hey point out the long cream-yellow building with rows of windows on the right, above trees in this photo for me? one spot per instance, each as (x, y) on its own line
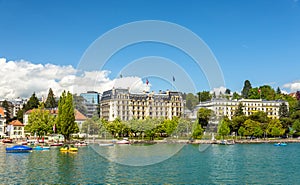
(224, 107)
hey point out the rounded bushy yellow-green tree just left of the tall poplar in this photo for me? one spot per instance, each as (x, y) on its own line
(40, 122)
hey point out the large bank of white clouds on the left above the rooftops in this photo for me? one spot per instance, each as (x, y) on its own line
(22, 78)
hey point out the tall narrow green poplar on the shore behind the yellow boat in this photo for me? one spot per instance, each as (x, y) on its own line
(66, 116)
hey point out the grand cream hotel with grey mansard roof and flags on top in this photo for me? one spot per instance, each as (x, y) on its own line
(120, 103)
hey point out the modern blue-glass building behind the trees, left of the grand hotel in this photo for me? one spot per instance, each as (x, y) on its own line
(92, 101)
